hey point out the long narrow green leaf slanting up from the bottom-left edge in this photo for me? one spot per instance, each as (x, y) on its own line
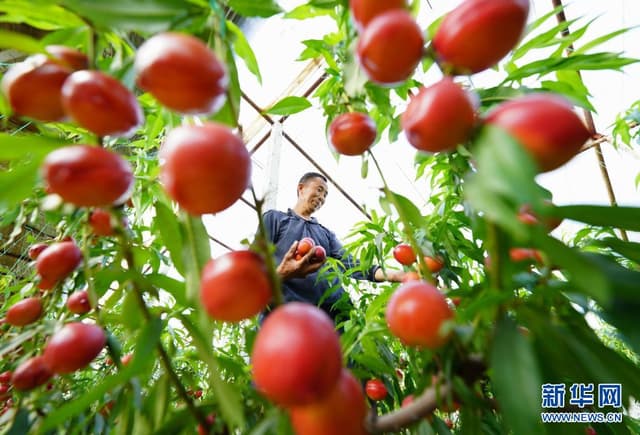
(145, 344)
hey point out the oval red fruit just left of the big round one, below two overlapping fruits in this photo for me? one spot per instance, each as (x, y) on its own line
(88, 176)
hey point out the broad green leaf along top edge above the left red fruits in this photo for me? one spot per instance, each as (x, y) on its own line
(147, 15)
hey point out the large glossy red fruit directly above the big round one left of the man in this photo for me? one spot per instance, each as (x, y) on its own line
(182, 73)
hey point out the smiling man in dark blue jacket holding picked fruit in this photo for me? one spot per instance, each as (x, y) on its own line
(300, 280)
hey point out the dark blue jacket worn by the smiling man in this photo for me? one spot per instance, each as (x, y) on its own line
(285, 228)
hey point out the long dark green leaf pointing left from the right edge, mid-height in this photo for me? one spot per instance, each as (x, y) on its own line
(618, 217)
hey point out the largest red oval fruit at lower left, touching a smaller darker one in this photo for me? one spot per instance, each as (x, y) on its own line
(73, 347)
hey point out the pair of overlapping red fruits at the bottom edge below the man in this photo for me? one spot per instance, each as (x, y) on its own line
(297, 364)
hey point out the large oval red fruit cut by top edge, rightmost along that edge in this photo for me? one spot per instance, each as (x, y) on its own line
(478, 33)
